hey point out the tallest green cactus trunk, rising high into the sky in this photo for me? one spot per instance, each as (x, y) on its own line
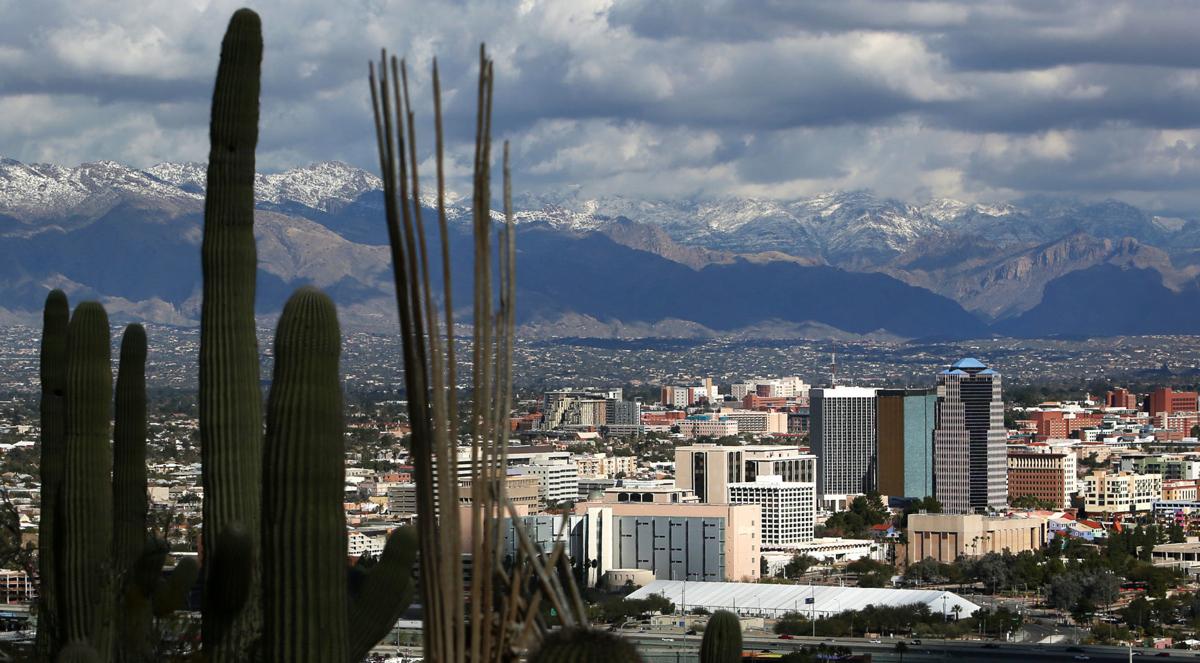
(231, 402)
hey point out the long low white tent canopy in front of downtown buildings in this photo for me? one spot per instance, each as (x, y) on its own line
(773, 601)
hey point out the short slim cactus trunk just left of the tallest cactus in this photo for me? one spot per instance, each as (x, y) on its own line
(130, 452)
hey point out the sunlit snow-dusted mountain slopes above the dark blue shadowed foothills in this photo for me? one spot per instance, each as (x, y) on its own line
(994, 260)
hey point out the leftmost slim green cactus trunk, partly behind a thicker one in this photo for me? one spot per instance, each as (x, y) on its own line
(53, 377)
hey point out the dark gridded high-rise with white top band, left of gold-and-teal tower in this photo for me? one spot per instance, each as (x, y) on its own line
(843, 438)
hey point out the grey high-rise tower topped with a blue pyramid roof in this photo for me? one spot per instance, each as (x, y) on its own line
(970, 459)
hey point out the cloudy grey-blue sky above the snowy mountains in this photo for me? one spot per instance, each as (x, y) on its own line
(981, 101)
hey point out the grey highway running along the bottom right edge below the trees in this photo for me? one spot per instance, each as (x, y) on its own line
(685, 648)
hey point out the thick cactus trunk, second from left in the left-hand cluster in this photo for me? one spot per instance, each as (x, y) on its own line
(87, 491)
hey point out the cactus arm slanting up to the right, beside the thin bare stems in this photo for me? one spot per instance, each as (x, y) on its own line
(383, 595)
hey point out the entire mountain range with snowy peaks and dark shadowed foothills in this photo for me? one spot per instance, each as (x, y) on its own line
(842, 265)
